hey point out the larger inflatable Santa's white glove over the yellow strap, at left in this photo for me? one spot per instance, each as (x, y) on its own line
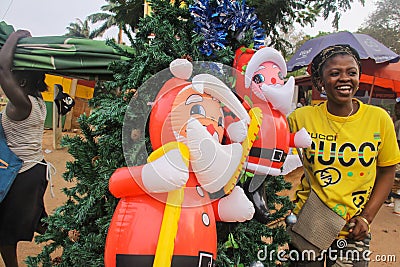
(167, 173)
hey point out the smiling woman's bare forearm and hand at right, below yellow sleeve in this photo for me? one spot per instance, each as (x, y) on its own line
(383, 184)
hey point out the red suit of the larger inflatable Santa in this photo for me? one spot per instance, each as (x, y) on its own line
(137, 221)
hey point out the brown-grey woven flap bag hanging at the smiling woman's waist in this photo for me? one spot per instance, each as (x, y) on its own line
(317, 226)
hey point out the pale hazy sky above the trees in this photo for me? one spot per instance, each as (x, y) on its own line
(51, 17)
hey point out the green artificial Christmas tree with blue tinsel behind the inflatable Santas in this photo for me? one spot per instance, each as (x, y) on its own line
(77, 230)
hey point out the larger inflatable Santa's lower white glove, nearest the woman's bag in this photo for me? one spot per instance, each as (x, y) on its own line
(235, 207)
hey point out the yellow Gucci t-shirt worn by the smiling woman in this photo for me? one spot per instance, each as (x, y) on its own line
(342, 159)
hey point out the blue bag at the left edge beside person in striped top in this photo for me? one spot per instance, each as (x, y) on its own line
(10, 164)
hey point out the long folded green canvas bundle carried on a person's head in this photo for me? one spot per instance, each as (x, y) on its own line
(75, 57)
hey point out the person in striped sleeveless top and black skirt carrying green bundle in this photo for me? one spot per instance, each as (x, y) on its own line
(23, 119)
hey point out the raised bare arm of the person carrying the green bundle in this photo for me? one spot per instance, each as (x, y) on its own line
(19, 106)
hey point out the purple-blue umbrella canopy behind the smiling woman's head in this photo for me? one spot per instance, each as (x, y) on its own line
(366, 46)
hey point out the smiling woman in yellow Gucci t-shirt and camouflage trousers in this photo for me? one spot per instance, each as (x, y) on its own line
(351, 162)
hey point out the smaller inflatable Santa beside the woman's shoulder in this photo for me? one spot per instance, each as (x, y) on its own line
(265, 87)
